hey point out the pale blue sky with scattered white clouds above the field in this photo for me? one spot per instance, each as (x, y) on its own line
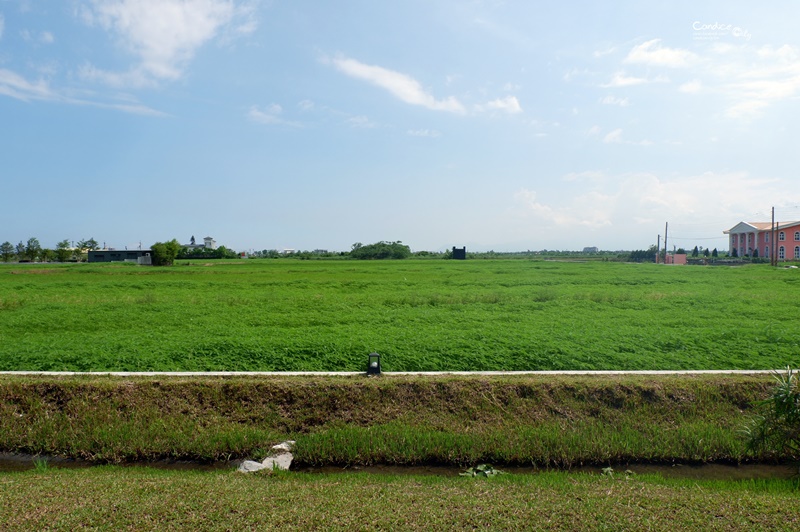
(505, 125)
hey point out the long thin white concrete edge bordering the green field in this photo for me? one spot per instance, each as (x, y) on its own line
(386, 373)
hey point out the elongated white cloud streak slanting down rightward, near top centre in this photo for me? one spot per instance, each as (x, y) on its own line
(400, 85)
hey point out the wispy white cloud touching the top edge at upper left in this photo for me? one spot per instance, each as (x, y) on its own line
(163, 35)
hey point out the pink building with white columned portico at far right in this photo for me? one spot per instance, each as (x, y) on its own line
(749, 238)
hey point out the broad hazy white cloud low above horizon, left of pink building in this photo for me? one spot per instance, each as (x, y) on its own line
(602, 205)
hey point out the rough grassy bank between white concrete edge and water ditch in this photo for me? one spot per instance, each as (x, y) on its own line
(523, 420)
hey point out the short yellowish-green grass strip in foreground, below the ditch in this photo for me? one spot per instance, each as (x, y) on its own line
(124, 498)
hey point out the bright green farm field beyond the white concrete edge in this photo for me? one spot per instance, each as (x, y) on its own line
(420, 315)
